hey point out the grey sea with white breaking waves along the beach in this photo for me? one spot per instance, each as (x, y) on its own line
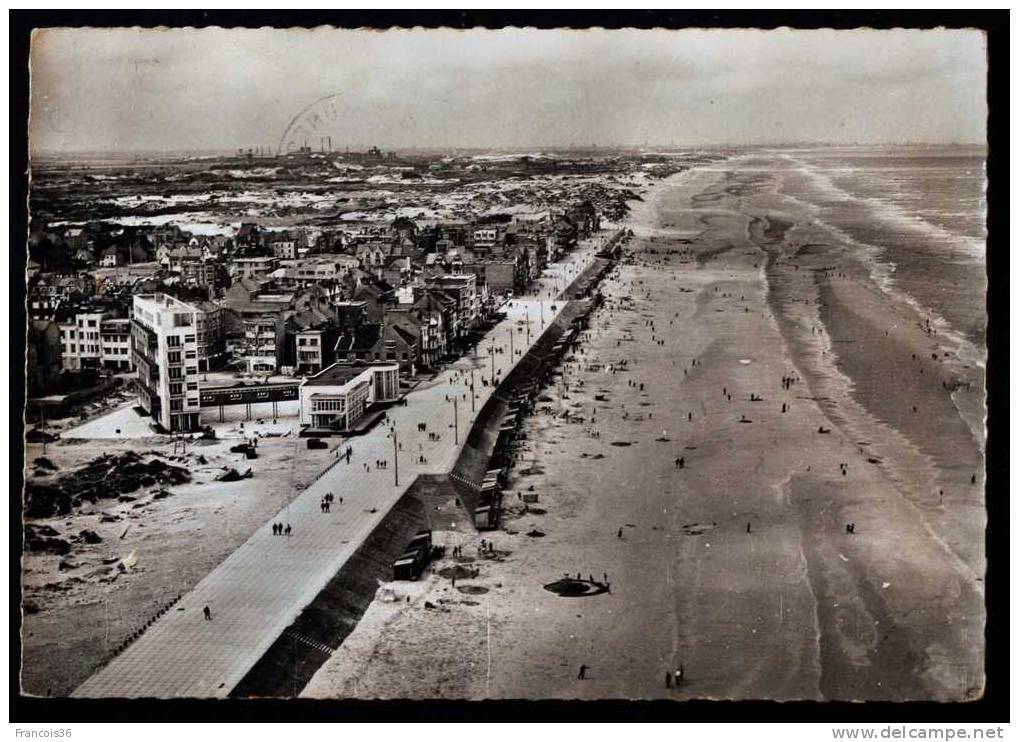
(923, 211)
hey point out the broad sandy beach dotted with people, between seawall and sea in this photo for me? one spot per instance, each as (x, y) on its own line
(738, 566)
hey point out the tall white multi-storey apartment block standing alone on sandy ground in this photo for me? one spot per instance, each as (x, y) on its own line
(166, 349)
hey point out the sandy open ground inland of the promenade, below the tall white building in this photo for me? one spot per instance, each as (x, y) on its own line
(76, 611)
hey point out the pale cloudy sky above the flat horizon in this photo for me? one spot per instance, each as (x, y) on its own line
(203, 90)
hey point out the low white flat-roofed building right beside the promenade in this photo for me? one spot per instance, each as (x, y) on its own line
(337, 398)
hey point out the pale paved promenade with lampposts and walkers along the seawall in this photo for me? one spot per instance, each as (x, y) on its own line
(261, 589)
